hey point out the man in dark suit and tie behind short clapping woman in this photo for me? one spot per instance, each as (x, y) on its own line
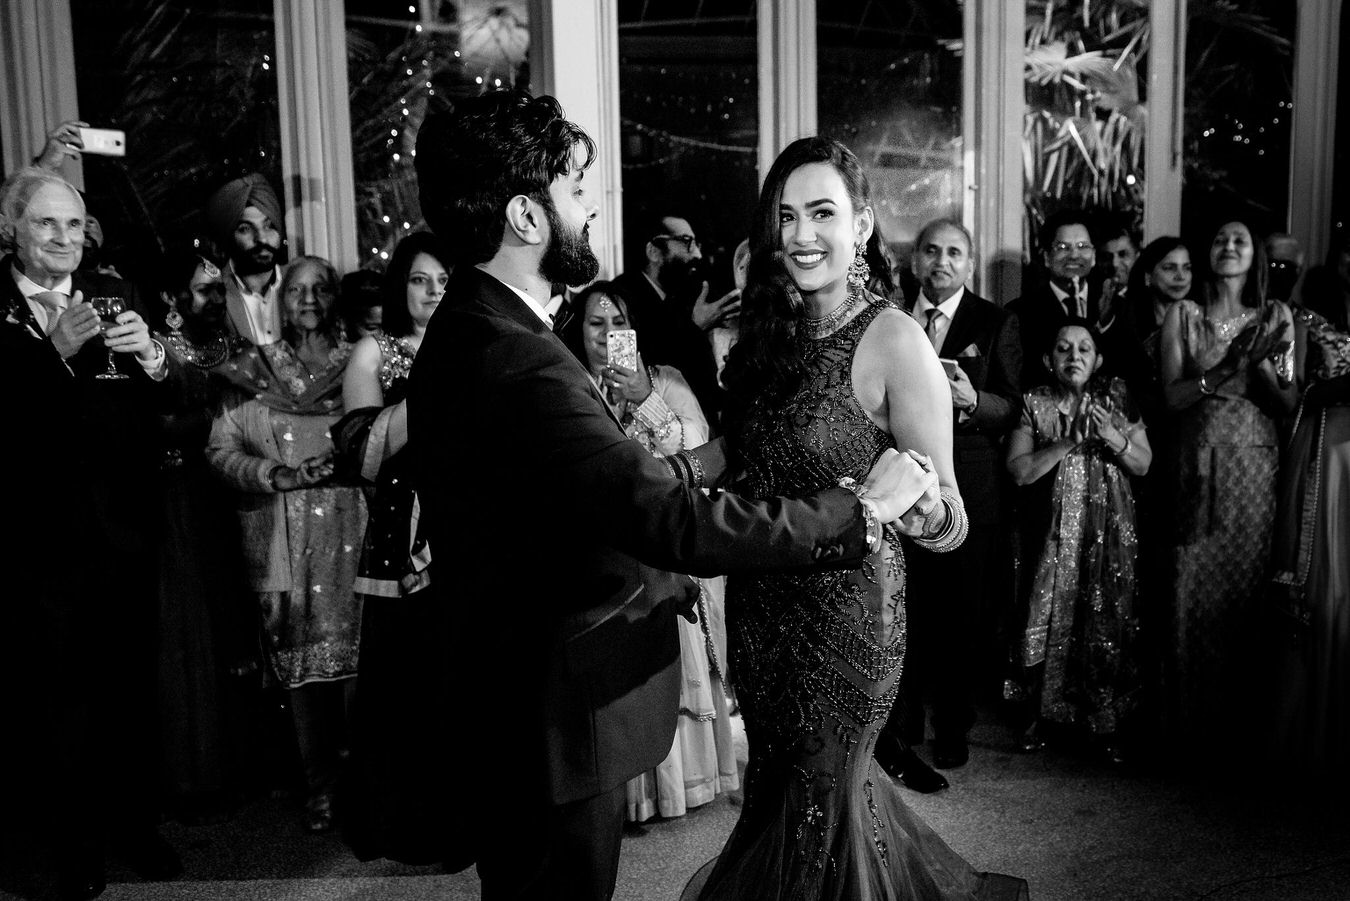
(1073, 288)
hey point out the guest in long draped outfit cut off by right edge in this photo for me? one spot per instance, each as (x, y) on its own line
(1310, 557)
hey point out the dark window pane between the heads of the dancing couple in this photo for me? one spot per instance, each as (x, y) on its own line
(689, 102)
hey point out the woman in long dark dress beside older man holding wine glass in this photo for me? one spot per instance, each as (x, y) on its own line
(206, 630)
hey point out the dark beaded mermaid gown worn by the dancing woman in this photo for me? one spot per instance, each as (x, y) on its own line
(817, 663)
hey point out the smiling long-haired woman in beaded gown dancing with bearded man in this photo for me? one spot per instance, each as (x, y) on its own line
(827, 378)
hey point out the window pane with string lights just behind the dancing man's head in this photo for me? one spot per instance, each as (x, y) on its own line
(404, 60)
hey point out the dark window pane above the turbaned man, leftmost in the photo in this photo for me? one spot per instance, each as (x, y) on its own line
(195, 88)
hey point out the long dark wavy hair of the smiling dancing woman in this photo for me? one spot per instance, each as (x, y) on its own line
(766, 364)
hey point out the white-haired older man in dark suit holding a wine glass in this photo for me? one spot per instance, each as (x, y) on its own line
(79, 550)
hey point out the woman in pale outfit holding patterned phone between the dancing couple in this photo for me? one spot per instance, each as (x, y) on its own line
(659, 411)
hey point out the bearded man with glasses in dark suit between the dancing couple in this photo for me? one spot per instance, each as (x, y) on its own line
(669, 302)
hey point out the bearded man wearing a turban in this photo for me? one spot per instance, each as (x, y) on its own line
(246, 222)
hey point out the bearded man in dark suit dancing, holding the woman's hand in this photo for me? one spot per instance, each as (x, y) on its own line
(554, 534)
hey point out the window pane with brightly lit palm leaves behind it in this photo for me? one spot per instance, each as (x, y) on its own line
(1085, 122)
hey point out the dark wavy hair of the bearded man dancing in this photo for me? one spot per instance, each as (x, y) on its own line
(489, 149)
